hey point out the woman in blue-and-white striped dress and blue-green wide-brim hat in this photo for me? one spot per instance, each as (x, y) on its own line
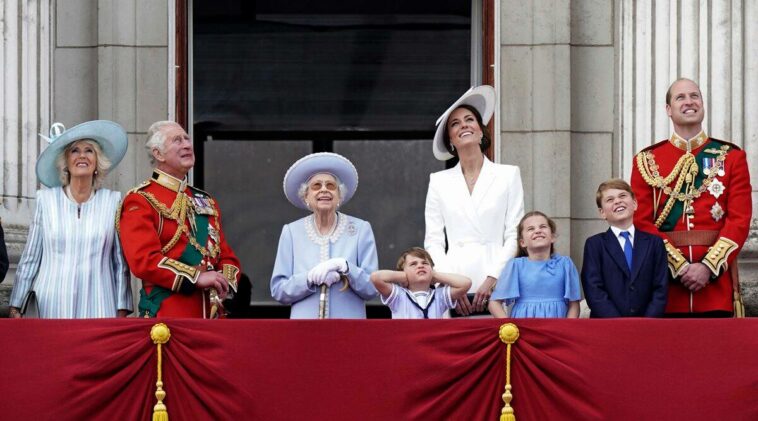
(72, 265)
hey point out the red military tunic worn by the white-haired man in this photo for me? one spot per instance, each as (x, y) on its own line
(156, 224)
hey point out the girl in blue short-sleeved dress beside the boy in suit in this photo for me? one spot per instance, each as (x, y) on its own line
(538, 282)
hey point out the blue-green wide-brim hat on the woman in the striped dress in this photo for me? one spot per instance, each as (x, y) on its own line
(109, 135)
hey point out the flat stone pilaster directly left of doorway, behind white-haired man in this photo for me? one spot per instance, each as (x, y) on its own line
(132, 74)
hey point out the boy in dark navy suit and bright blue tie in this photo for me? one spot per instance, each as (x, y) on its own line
(625, 270)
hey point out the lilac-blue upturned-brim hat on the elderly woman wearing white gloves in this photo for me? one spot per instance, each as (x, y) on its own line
(322, 162)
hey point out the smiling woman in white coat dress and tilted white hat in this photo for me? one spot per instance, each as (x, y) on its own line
(472, 209)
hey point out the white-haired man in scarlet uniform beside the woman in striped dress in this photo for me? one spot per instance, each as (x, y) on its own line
(171, 234)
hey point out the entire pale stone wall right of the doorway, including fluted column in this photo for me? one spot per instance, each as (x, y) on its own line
(583, 89)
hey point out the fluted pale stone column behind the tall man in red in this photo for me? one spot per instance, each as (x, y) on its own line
(705, 41)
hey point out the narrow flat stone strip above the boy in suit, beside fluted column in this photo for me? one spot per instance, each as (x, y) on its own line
(592, 115)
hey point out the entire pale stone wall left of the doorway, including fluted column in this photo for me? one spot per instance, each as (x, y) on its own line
(72, 61)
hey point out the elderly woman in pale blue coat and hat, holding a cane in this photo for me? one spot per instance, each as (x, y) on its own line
(325, 259)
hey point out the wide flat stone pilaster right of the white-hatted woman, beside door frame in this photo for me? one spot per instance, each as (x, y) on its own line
(535, 98)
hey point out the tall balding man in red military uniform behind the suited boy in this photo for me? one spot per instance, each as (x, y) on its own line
(694, 191)
